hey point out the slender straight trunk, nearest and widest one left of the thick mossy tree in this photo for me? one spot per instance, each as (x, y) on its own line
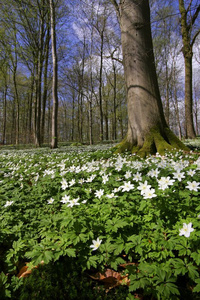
(54, 137)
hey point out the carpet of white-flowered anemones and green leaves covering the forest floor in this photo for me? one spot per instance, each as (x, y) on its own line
(89, 224)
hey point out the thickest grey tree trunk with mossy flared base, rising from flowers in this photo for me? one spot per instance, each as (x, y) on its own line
(148, 131)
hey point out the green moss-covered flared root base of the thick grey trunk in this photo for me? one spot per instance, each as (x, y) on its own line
(154, 142)
